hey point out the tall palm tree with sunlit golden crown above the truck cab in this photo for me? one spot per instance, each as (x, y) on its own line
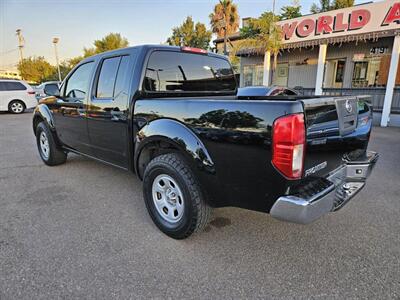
(225, 19)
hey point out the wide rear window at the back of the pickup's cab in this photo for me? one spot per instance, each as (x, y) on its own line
(179, 72)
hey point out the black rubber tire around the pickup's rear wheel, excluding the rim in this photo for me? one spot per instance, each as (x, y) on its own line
(196, 212)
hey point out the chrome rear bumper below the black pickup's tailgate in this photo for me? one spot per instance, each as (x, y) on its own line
(340, 186)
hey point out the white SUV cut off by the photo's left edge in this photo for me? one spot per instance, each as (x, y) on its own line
(16, 96)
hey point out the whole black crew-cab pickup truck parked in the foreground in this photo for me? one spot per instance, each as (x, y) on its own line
(172, 116)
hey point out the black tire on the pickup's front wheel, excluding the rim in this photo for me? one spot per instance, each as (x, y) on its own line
(54, 156)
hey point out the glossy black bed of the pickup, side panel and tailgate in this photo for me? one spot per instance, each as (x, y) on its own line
(237, 134)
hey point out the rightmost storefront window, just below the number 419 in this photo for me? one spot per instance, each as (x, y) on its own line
(366, 72)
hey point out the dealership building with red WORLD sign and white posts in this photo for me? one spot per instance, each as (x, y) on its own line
(343, 52)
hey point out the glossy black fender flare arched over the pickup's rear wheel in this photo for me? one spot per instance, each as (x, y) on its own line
(178, 135)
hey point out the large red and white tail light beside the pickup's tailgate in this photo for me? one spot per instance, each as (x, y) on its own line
(288, 145)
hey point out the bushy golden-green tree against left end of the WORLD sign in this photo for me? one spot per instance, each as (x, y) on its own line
(261, 35)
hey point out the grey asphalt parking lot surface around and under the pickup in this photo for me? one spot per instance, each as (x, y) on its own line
(81, 230)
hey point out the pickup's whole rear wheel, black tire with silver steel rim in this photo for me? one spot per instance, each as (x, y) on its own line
(173, 197)
